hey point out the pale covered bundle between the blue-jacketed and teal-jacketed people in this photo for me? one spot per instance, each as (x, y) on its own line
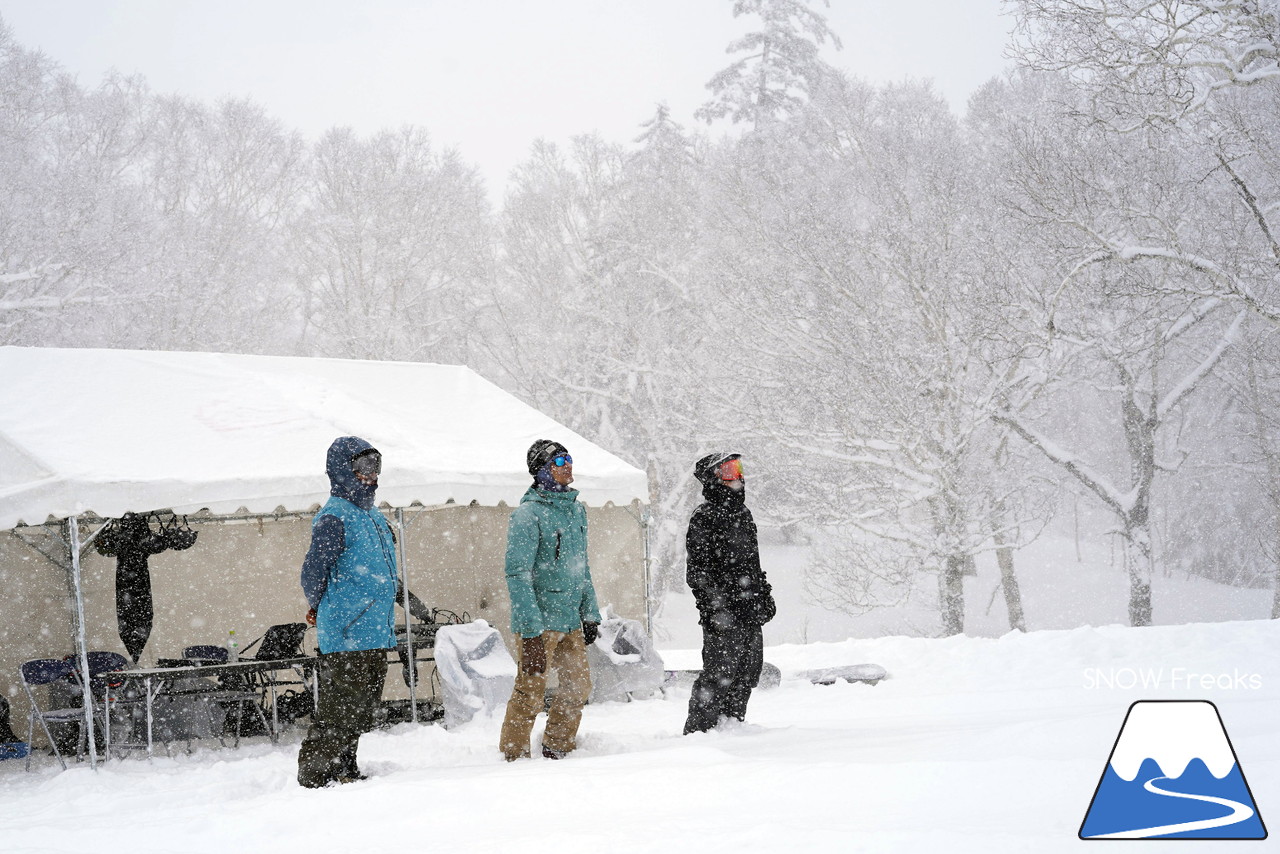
(477, 672)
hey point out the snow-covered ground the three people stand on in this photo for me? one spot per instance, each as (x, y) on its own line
(973, 745)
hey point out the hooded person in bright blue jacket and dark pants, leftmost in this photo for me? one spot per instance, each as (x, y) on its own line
(353, 587)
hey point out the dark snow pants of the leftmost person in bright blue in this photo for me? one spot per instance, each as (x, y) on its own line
(351, 689)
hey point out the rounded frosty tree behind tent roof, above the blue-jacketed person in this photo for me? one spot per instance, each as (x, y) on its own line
(394, 248)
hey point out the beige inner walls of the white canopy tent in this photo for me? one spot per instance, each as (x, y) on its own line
(244, 576)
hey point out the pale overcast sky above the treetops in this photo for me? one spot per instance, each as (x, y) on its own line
(484, 76)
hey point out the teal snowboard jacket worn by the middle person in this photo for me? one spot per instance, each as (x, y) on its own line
(547, 570)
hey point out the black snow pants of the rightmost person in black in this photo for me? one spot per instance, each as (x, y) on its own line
(732, 668)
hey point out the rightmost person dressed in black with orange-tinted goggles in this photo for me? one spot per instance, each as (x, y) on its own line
(734, 599)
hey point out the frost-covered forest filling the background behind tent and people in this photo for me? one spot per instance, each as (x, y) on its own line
(929, 334)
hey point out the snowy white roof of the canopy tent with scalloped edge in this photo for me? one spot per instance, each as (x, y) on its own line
(117, 431)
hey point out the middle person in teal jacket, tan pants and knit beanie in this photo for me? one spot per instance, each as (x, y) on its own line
(554, 610)
